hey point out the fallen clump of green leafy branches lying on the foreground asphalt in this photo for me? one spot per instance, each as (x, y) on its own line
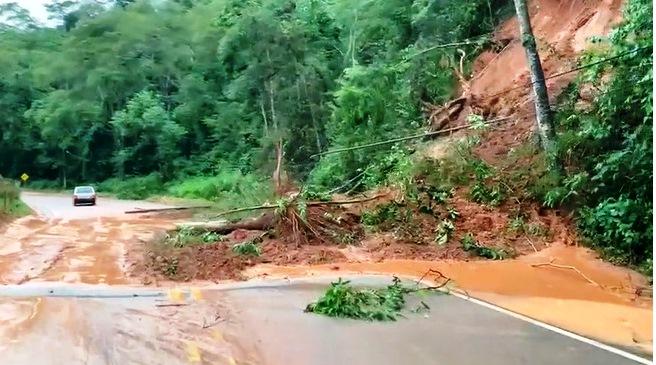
(342, 300)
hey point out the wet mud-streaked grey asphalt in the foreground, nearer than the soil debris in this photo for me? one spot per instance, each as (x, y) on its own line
(264, 323)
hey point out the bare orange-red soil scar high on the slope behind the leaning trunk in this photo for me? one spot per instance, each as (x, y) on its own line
(501, 83)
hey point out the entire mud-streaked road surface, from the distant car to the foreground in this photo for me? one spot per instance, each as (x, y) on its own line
(67, 298)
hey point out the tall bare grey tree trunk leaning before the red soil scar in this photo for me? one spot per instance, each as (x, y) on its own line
(543, 115)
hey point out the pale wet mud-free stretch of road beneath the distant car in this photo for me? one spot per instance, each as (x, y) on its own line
(61, 206)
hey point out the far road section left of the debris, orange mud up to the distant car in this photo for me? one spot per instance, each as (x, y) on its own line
(63, 243)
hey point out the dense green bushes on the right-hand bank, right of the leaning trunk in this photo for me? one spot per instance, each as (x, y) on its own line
(606, 144)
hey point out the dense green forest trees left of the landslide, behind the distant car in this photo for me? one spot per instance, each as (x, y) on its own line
(126, 88)
